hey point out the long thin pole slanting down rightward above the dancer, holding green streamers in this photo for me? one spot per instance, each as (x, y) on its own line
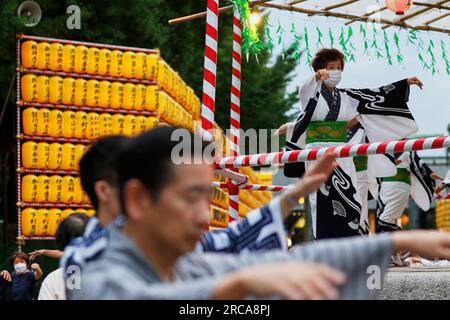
(402, 24)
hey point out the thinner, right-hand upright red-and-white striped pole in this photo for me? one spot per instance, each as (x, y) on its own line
(235, 111)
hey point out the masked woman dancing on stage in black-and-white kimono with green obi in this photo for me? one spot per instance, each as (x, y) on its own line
(332, 116)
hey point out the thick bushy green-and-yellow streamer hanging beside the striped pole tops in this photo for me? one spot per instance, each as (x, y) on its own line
(251, 41)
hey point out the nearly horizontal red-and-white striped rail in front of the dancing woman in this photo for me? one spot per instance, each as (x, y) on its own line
(341, 152)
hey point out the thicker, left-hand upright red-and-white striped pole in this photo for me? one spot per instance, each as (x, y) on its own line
(210, 69)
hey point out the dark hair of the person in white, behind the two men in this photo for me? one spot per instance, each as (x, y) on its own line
(70, 228)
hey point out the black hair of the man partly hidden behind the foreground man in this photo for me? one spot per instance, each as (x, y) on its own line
(99, 162)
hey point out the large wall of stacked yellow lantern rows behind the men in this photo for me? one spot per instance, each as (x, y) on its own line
(61, 113)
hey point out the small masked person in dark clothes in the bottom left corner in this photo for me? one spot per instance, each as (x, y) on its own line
(23, 280)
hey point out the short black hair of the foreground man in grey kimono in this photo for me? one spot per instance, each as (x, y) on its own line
(147, 158)
